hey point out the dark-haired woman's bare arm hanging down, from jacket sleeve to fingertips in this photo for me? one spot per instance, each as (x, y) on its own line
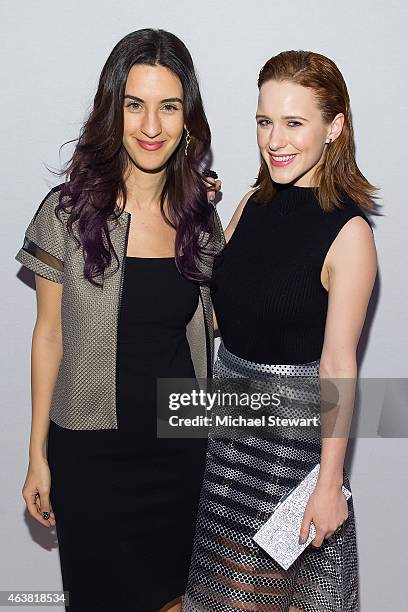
(46, 353)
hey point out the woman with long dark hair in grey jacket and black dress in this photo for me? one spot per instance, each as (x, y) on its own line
(122, 252)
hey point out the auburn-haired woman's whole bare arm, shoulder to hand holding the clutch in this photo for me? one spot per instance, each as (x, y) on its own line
(352, 267)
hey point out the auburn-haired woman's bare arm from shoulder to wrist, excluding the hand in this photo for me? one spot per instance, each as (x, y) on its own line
(352, 267)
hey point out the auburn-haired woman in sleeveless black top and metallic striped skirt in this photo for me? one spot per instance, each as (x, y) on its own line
(290, 293)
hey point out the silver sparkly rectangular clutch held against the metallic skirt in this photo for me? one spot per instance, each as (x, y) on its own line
(279, 536)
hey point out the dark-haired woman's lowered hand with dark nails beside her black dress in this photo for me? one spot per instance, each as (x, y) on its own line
(36, 491)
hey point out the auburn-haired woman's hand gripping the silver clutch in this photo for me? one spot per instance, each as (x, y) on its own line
(328, 509)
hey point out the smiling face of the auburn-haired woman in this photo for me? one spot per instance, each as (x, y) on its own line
(291, 133)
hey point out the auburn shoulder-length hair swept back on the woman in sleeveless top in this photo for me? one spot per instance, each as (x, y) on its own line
(339, 172)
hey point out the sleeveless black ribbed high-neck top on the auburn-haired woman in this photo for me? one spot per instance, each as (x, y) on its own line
(268, 298)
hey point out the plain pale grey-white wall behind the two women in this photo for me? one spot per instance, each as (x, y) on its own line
(51, 57)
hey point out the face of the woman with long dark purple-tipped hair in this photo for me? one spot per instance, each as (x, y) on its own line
(153, 116)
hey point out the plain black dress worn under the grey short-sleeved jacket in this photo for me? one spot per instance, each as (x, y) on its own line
(125, 501)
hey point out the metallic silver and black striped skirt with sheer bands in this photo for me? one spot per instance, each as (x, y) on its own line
(248, 471)
